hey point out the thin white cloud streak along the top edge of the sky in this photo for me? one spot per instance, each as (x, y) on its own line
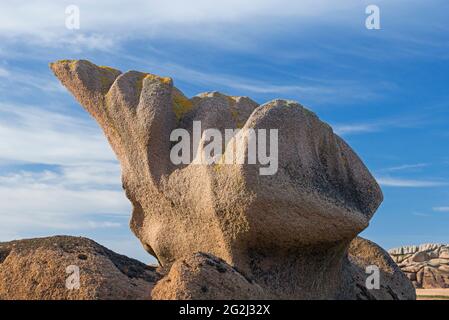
(46, 15)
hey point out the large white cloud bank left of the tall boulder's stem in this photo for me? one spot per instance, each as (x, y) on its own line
(81, 179)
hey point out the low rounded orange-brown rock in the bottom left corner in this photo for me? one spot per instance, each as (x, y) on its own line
(36, 269)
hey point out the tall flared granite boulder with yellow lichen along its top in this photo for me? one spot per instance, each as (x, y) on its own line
(288, 232)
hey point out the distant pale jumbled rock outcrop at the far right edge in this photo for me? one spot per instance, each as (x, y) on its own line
(427, 265)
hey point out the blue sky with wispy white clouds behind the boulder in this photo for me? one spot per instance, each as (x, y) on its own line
(385, 91)
